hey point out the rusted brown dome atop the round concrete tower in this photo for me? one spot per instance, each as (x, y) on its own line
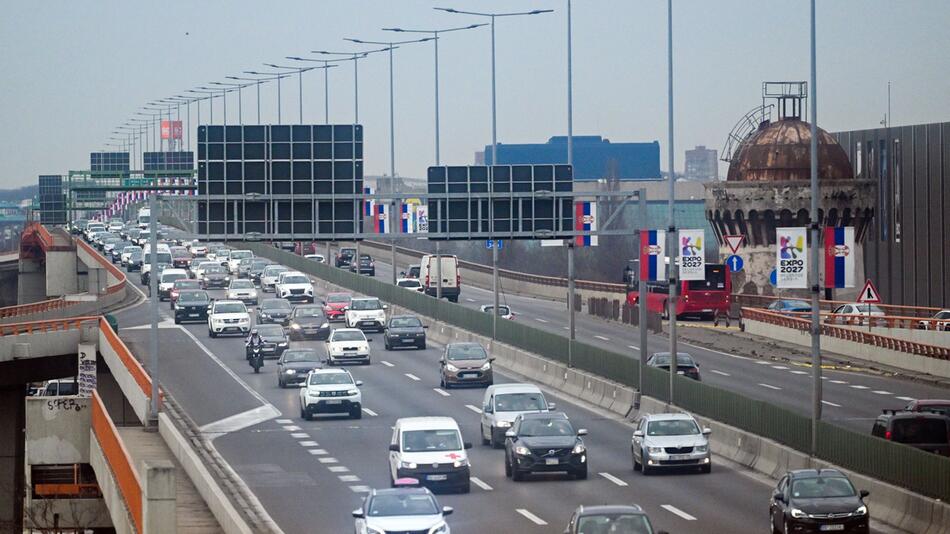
(780, 151)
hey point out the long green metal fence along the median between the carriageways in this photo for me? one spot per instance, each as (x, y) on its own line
(895, 463)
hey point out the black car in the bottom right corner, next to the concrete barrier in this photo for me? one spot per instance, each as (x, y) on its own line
(812, 500)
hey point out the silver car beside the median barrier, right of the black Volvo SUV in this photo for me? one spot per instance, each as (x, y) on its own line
(670, 440)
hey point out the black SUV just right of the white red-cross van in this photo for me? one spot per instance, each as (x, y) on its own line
(544, 442)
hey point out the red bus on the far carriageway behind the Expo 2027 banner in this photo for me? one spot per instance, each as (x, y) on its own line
(704, 298)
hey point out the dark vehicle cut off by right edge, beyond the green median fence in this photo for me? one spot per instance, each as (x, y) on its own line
(924, 430)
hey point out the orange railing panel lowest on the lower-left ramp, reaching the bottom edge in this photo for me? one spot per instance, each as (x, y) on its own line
(118, 459)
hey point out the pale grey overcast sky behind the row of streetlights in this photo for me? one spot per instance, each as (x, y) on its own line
(74, 71)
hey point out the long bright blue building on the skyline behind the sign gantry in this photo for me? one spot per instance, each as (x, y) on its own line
(595, 158)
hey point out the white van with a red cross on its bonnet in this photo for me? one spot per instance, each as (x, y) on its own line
(430, 450)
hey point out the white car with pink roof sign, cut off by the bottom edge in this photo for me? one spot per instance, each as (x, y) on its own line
(401, 509)
